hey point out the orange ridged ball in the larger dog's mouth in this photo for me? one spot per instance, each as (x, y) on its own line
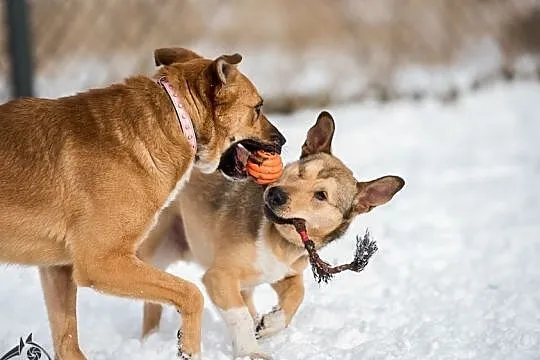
(263, 166)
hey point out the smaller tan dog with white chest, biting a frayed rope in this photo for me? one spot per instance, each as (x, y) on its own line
(236, 232)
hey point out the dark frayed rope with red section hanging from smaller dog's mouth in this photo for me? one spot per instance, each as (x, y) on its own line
(324, 272)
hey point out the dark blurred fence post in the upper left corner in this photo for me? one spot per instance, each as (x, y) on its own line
(19, 48)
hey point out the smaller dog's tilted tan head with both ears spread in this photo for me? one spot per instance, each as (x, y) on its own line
(320, 189)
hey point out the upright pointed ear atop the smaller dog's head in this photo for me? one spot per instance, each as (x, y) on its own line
(319, 137)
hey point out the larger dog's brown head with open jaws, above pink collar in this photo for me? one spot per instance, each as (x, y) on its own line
(224, 105)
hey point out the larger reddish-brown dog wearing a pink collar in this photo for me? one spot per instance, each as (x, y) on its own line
(84, 177)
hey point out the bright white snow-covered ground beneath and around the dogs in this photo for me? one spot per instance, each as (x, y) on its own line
(457, 274)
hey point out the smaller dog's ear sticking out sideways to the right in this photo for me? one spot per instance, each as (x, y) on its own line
(376, 192)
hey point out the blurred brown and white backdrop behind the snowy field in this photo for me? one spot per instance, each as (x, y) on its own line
(299, 53)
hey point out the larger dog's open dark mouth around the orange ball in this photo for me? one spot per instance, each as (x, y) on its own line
(234, 160)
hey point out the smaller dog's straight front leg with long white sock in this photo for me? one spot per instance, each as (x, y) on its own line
(223, 288)
